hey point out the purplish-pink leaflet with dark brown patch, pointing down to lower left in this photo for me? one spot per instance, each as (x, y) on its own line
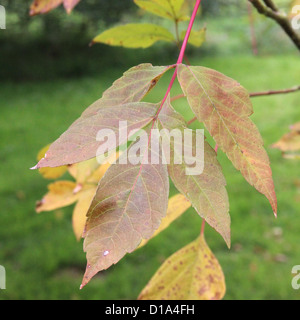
(129, 204)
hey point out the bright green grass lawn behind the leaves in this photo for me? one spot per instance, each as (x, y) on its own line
(40, 253)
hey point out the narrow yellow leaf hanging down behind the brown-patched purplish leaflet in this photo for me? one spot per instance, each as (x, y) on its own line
(80, 211)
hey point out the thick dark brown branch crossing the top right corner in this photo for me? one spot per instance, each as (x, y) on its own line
(282, 19)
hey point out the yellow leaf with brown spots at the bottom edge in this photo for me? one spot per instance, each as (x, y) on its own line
(192, 273)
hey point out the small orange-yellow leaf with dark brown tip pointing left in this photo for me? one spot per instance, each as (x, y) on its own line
(61, 194)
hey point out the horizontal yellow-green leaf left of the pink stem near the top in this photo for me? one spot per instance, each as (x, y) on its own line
(134, 35)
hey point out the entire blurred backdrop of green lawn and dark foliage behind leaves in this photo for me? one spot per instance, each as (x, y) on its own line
(49, 74)
